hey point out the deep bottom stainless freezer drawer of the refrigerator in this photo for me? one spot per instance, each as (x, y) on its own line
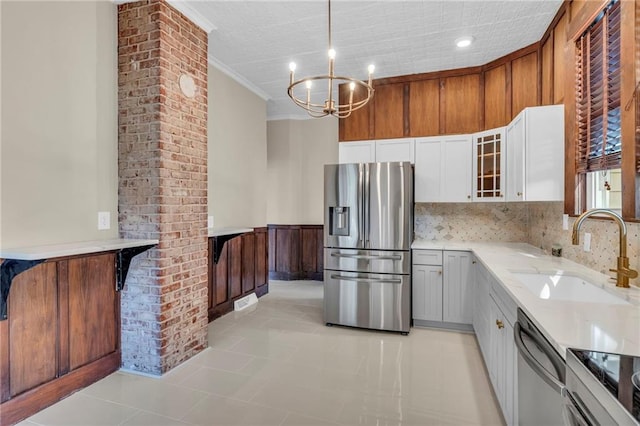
(376, 301)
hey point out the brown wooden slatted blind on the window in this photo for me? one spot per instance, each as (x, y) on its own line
(598, 112)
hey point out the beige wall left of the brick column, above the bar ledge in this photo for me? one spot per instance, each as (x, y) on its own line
(58, 146)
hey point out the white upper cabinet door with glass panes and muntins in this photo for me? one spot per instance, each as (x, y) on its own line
(489, 165)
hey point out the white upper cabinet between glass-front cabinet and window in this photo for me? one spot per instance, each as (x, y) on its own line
(535, 155)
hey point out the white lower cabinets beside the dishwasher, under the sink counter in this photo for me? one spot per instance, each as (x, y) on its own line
(493, 321)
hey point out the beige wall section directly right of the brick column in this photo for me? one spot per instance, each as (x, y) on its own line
(237, 164)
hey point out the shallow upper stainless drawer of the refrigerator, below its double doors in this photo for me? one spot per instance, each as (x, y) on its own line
(382, 262)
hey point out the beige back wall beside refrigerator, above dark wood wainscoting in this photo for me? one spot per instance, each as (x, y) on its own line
(297, 153)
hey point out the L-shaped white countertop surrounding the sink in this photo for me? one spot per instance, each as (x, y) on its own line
(595, 326)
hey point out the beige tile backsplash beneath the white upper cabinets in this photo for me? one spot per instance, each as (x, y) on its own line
(539, 224)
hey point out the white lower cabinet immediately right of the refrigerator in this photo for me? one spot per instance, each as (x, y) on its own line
(442, 284)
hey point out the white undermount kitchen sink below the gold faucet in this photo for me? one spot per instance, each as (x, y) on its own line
(560, 286)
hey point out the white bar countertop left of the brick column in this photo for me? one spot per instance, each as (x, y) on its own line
(71, 249)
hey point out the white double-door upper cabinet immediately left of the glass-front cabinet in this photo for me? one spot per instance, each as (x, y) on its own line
(443, 169)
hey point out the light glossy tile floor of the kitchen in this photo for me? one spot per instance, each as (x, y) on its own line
(278, 364)
